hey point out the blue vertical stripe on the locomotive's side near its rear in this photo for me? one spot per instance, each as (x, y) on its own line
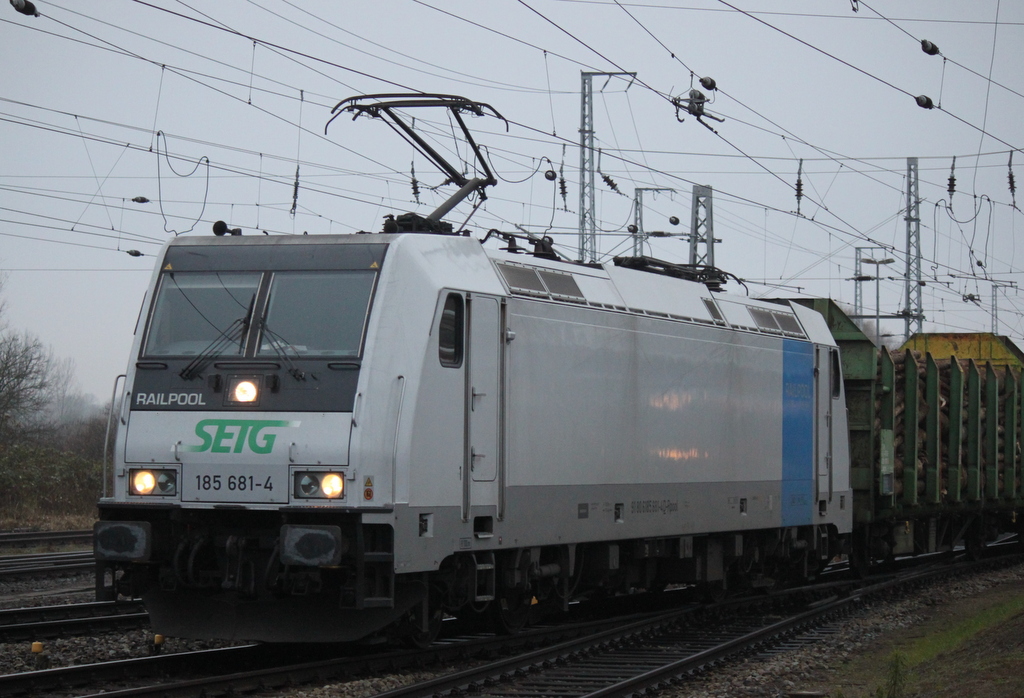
(798, 433)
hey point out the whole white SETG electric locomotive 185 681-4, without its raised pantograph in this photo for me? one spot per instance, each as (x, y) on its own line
(330, 438)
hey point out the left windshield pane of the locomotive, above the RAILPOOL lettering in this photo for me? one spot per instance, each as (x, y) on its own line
(196, 310)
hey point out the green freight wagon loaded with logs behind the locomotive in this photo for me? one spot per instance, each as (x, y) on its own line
(935, 440)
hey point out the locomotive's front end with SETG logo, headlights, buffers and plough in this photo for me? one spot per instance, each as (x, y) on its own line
(233, 482)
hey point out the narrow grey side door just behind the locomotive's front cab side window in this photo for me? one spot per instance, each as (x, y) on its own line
(483, 406)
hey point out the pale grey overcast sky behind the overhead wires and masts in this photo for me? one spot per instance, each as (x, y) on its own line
(240, 93)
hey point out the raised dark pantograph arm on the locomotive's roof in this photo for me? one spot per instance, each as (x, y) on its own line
(385, 106)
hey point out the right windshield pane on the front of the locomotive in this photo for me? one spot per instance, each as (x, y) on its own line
(317, 314)
